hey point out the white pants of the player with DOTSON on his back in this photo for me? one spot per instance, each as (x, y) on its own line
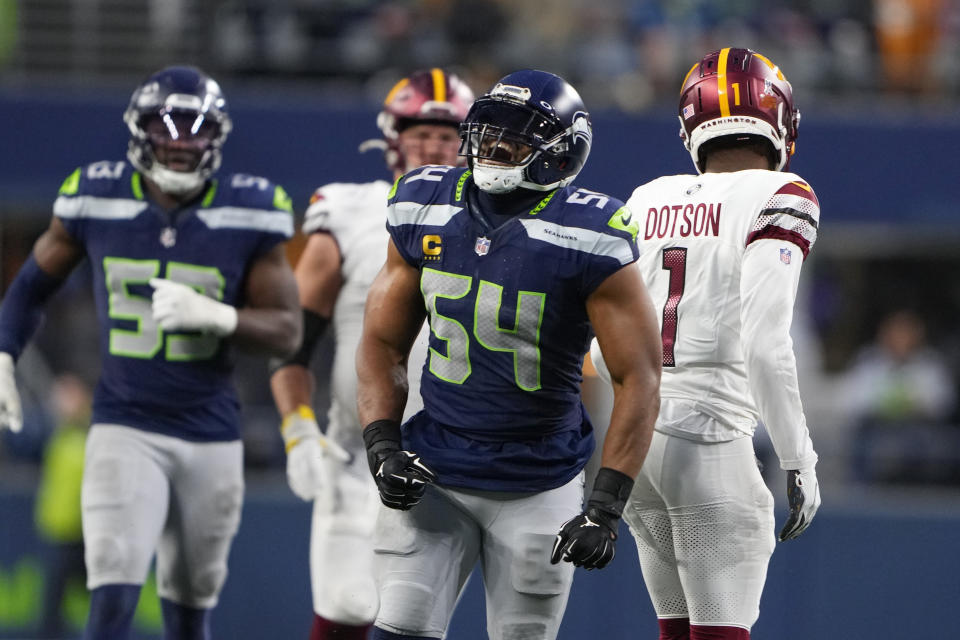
(703, 522)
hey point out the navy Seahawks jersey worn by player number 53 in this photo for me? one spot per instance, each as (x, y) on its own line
(177, 384)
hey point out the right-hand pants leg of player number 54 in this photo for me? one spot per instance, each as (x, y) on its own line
(526, 595)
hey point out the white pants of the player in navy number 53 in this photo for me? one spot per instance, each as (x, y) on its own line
(145, 492)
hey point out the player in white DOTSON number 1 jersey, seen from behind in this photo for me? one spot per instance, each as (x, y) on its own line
(721, 252)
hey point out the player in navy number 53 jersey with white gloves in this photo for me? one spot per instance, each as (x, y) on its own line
(185, 265)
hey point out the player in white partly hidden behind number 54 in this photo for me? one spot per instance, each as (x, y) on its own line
(347, 245)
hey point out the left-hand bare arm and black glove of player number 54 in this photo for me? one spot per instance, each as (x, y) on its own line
(392, 319)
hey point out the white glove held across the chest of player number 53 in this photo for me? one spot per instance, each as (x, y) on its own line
(178, 307)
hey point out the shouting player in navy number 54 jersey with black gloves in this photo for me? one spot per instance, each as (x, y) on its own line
(516, 270)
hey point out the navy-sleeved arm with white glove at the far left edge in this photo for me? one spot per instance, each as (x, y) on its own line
(54, 255)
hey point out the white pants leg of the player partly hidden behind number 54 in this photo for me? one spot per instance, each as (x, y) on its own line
(341, 549)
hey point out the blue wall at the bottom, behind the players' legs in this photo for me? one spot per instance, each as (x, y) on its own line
(870, 569)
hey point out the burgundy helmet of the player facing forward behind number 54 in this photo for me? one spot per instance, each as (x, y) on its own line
(429, 96)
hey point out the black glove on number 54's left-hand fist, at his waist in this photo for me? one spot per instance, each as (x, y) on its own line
(400, 475)
